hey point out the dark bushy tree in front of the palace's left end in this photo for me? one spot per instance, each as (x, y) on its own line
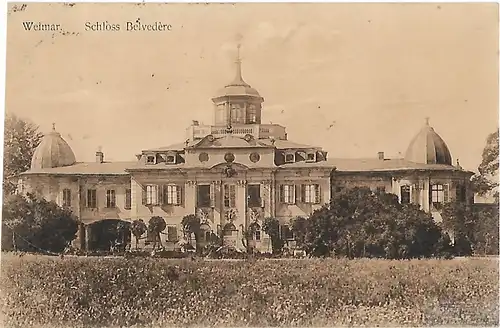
(37, 224)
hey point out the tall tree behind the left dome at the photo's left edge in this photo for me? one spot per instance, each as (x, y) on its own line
(21, 138)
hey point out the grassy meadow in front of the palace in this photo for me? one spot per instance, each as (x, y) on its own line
(146, 292)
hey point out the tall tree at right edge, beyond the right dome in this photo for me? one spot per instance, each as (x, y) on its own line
(486, 181)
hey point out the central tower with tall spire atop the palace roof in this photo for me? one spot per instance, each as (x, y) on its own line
(237, 103)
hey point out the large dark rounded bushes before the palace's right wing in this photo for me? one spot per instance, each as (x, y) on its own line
(359, 223)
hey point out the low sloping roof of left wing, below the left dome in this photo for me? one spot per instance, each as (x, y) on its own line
(90, 168)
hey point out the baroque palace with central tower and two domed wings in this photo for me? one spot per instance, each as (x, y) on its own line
(233, 174)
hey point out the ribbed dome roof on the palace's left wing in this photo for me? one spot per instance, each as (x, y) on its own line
(53, 151)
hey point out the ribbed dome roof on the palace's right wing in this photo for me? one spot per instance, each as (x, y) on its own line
(427, 147)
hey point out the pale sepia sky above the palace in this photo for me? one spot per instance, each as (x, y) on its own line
(354, 79)
